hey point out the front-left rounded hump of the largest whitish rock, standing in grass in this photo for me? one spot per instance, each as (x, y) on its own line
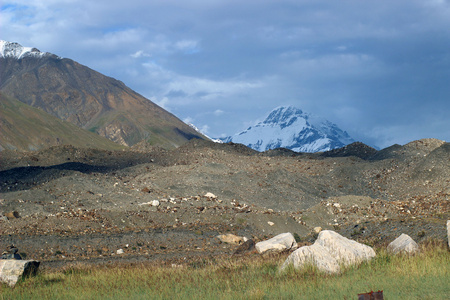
(315, 255)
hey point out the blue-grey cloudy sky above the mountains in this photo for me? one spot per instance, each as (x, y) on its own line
(378, 69)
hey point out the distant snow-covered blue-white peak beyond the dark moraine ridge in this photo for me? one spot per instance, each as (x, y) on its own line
(291, 128)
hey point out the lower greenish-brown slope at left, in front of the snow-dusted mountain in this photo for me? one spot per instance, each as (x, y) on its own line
(27, 128)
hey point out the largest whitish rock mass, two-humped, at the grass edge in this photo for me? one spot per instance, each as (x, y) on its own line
(329, 250)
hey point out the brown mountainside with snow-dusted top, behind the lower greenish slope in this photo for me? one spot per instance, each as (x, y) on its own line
(86, 98)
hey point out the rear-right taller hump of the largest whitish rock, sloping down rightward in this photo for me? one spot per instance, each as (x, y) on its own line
(344, 250)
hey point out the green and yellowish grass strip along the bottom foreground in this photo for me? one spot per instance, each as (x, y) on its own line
(423, 276)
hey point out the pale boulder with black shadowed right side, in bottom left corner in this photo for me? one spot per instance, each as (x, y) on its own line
(12, 270)
